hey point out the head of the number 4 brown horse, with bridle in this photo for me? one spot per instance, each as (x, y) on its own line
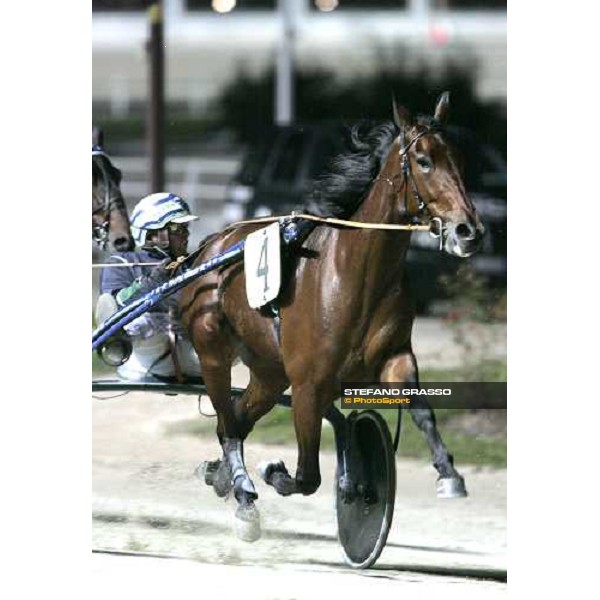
(433, 186)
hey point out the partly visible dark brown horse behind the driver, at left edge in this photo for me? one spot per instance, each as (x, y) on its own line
(110, 221)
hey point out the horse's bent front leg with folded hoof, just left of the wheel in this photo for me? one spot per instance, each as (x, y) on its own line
(308, 407)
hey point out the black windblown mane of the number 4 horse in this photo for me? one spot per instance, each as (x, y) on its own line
(339, 191)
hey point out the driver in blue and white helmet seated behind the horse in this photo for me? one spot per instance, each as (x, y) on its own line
(160, 348)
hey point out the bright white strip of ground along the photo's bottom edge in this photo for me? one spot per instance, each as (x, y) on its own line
(124, 577)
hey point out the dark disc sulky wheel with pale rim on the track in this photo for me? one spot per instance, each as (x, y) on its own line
(365, 518)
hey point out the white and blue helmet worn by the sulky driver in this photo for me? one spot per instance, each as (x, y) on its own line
(156, 211)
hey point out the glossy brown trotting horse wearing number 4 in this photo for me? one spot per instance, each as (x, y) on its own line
(345, 312)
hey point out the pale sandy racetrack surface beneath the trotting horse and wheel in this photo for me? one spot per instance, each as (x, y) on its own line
(147, 499)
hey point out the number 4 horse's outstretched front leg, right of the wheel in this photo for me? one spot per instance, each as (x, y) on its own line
(403, 369)
